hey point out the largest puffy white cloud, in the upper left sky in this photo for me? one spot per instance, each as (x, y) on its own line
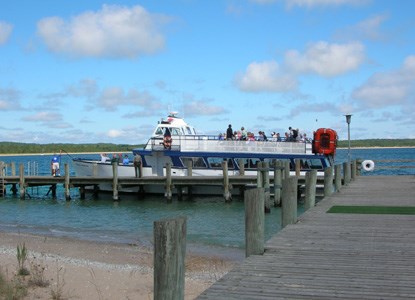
(114, 31)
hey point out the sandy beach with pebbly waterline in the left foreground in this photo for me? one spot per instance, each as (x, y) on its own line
(91, 270)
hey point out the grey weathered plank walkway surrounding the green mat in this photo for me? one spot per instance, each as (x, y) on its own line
(335, 256)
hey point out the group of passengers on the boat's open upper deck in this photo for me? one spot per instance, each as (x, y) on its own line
(292, 135)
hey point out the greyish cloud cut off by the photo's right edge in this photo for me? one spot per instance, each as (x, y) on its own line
(388, 88)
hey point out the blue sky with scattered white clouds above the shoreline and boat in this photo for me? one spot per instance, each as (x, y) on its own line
(94, 71)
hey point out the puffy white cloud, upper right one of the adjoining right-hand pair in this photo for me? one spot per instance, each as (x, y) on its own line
(326, 59)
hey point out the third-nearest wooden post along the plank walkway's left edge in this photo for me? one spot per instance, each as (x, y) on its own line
(289, 201)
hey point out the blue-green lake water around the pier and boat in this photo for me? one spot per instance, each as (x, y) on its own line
(212, 225)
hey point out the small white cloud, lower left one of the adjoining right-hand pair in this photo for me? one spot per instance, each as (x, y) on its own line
(265, 77)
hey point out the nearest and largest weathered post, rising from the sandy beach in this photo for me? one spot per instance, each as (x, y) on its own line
(169, 258)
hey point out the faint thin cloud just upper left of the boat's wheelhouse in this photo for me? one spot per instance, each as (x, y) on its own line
(111, 98)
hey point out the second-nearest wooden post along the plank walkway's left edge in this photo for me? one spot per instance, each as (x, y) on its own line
(254, 221)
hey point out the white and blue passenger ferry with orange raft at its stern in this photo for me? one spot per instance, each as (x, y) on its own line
(176, 142)
